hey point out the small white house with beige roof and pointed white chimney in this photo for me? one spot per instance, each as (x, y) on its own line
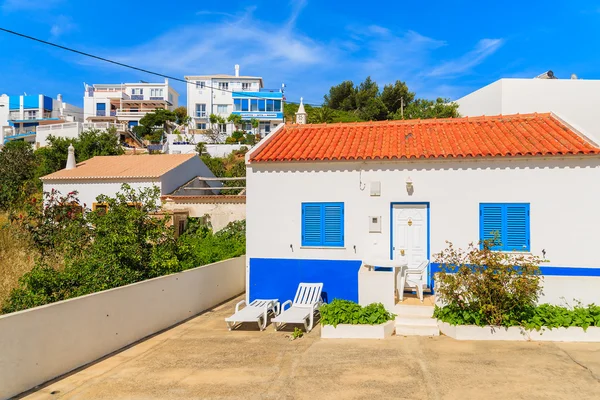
(106, 174)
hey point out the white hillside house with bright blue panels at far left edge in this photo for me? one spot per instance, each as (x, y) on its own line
(25, 113)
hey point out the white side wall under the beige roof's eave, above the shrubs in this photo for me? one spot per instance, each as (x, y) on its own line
(88, 190)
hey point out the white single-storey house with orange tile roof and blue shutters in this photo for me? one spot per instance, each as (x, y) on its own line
(323, 198)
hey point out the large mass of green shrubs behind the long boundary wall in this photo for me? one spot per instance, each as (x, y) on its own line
(108, 248)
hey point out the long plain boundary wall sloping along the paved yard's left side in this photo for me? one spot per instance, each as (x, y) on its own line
(42, 343)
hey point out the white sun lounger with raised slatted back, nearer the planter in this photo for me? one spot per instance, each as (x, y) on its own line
(302, 310)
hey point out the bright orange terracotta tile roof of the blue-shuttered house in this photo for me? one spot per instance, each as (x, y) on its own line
(509, 135)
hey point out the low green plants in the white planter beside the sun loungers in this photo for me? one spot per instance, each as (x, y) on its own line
(348, 312)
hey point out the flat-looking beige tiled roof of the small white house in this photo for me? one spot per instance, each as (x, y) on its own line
(119, 167)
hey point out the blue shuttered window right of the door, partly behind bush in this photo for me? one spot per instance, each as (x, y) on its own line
(510, 221)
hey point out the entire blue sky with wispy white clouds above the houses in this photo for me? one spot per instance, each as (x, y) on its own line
(440, 48)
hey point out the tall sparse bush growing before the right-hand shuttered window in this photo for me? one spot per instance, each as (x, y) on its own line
(486, 287)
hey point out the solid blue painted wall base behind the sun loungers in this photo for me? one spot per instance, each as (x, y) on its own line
(278, 278)
